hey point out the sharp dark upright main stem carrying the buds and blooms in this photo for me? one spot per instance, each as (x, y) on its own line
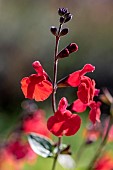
(54, 90)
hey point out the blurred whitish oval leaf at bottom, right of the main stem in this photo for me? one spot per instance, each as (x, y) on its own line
(66, 161)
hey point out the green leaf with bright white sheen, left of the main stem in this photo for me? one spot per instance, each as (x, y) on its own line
(41, 145)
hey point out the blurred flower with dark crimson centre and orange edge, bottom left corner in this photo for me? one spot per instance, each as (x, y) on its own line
(15, 154)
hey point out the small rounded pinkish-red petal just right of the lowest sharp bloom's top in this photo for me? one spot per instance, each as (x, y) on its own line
(78, 106)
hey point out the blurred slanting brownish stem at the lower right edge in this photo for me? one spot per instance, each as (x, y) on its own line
(103, 143)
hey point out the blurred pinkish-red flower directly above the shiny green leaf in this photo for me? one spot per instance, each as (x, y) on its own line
(36, 123)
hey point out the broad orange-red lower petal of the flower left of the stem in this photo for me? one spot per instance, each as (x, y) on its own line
(34, 88)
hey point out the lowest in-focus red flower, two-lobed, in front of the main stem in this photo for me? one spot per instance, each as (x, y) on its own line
(63, 122)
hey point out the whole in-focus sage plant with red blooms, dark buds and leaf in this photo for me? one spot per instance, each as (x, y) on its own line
(38, 86)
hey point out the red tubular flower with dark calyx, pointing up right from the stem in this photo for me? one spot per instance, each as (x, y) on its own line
(74, 79)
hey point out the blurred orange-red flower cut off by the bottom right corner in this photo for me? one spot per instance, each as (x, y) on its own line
(104, 163)
